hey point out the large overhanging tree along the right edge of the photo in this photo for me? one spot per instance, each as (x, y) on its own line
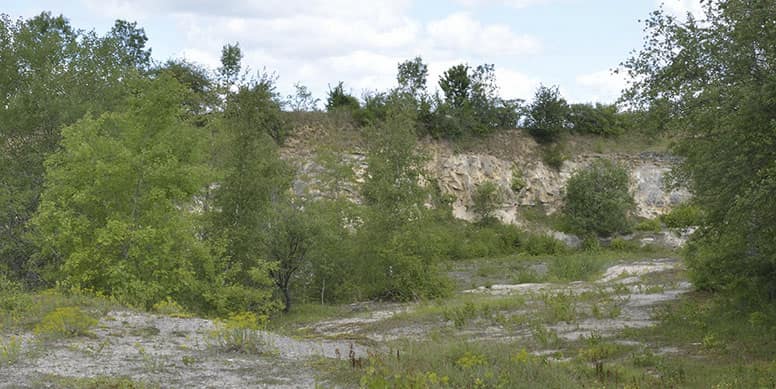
(717, 73)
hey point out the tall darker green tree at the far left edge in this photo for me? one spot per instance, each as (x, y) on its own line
(50, 76)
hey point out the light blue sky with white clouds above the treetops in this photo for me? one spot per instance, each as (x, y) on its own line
(574, 44)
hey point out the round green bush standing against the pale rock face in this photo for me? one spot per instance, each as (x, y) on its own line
(598, 200)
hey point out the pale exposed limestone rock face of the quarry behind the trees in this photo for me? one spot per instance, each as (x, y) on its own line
(510, 156)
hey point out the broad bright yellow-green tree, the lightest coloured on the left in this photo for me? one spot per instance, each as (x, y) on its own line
(113, 216)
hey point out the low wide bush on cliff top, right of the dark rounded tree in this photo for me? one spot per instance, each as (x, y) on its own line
(599, 119)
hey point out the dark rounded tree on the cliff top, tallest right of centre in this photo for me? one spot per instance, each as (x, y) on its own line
(547, 115)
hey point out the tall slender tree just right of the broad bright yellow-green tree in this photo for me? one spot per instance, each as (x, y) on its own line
(254, 180)
